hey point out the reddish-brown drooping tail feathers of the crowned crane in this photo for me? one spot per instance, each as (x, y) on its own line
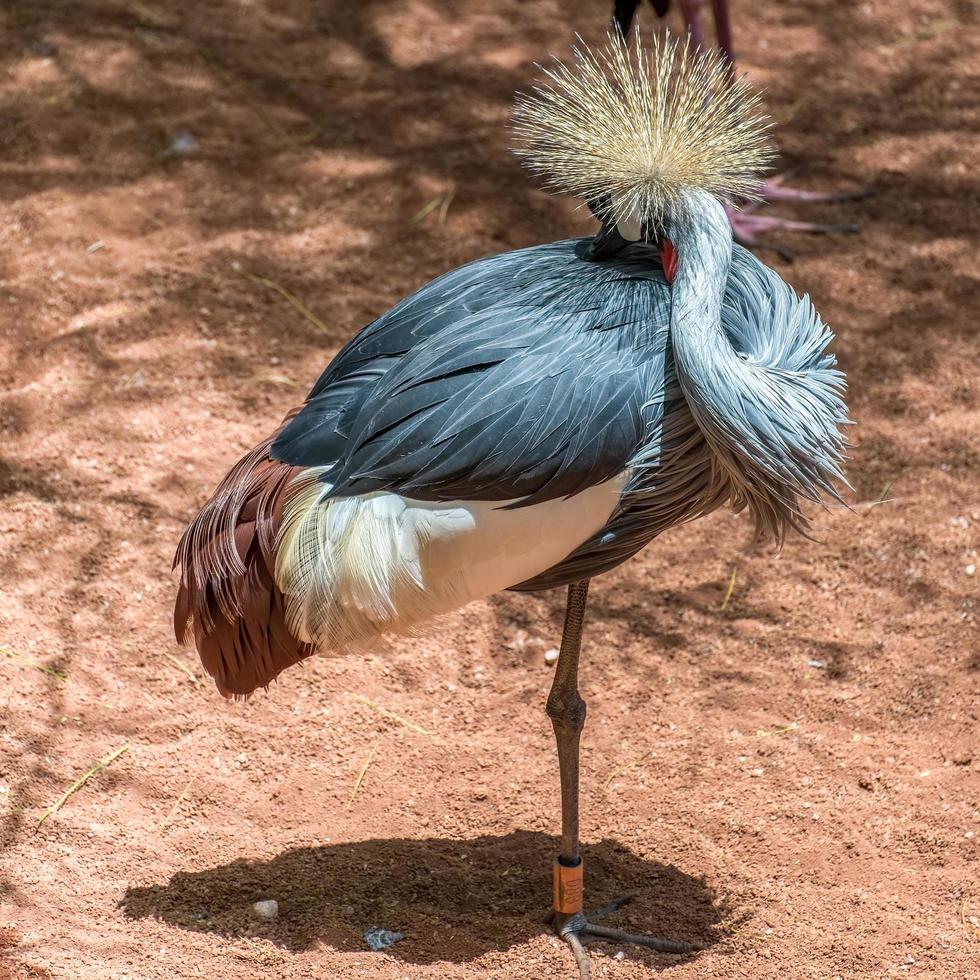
(228, 599)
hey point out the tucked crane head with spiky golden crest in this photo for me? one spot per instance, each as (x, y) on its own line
(634, 131)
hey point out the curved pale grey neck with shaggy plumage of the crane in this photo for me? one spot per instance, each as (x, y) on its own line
(770, 411)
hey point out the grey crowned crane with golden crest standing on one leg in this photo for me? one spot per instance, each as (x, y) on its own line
(535, 418)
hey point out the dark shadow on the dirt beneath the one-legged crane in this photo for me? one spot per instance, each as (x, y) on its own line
(452, 899)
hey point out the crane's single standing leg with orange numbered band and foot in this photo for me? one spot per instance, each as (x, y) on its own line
(566, 709)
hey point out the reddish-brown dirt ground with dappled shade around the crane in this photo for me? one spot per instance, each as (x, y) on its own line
(790, 778)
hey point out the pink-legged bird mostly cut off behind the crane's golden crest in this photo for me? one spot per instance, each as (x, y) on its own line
(747, 224)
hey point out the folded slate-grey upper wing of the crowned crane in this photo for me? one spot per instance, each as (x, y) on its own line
(503, 380)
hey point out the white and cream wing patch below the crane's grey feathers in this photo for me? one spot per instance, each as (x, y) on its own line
(357, 568)
